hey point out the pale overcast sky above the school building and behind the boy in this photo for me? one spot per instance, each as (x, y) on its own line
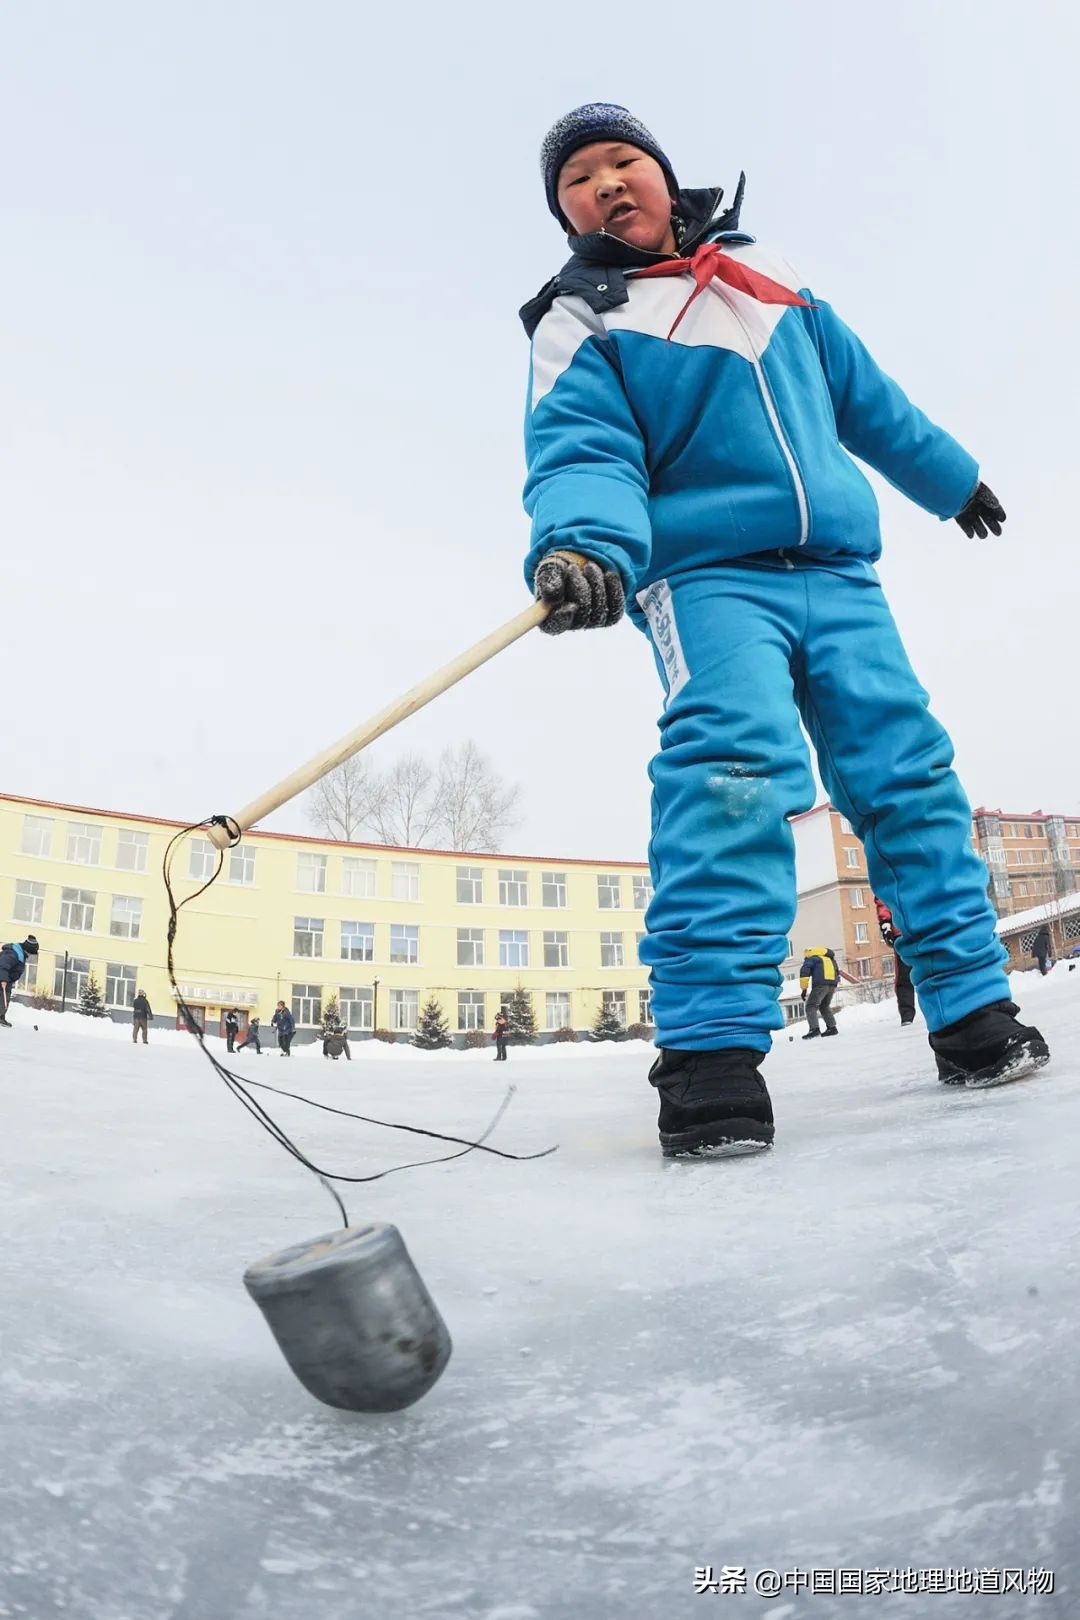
(261, 373)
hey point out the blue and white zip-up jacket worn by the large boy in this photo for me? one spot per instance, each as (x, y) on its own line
(658, 454)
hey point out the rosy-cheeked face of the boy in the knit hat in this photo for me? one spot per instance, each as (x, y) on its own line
(619, 189)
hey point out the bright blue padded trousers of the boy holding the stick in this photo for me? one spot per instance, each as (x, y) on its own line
(744, 652)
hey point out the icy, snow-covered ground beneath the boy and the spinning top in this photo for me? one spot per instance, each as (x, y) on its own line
(859, 1350)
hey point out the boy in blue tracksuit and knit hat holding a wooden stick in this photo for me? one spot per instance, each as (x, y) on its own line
(691, 407)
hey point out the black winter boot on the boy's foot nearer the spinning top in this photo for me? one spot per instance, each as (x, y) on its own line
(712, 1102)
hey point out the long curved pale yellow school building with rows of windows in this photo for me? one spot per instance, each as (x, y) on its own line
(304, 919)
